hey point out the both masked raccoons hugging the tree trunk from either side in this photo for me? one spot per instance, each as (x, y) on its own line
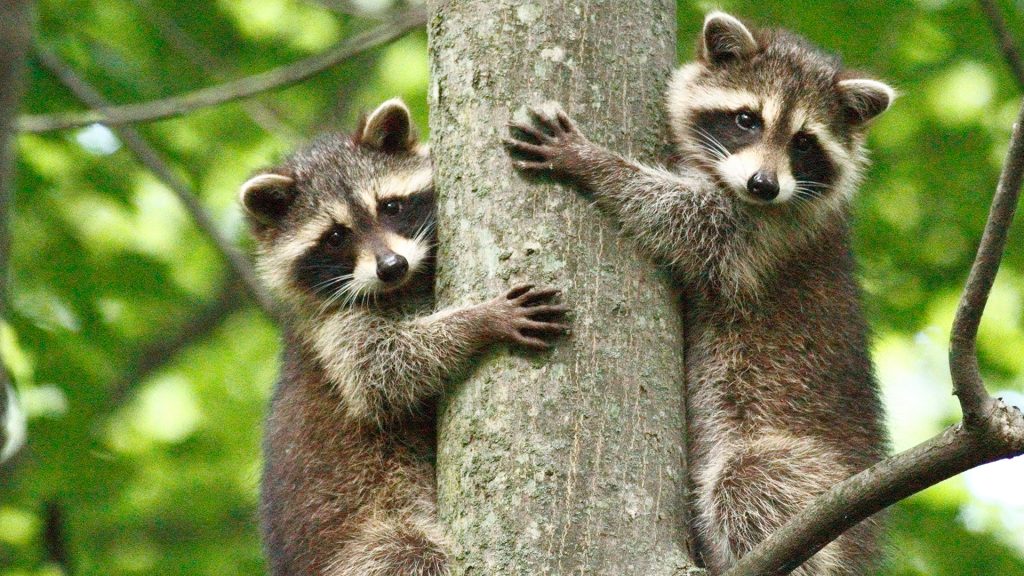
(753, 222)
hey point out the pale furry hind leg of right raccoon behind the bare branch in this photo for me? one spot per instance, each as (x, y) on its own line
(750, 490)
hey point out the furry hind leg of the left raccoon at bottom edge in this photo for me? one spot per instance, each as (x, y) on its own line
(394, 547)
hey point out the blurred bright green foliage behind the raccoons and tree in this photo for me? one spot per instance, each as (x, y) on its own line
(163, 478)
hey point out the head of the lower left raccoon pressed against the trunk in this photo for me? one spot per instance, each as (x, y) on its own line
(348, 221)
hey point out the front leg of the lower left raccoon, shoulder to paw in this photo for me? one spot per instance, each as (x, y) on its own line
(385, 368)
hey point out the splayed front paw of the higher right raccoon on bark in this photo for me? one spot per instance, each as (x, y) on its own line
(551, 141)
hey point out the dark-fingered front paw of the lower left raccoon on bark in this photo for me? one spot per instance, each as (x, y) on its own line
(527, 316)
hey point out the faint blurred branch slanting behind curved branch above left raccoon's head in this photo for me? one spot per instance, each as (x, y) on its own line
(262, 114)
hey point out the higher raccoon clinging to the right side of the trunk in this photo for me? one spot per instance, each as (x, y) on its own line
(753, 221)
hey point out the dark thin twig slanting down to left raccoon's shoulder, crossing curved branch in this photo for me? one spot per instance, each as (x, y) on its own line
(238, 264)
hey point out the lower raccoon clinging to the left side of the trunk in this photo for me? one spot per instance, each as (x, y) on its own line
(346, 234)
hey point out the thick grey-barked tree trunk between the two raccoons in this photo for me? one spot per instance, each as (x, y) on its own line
(570, 463)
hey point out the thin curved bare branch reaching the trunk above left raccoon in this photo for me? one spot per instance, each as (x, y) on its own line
(243, 89)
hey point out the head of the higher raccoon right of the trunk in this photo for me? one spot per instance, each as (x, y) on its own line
(771, 117)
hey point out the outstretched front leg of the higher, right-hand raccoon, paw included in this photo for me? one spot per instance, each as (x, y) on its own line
(671, 216)
